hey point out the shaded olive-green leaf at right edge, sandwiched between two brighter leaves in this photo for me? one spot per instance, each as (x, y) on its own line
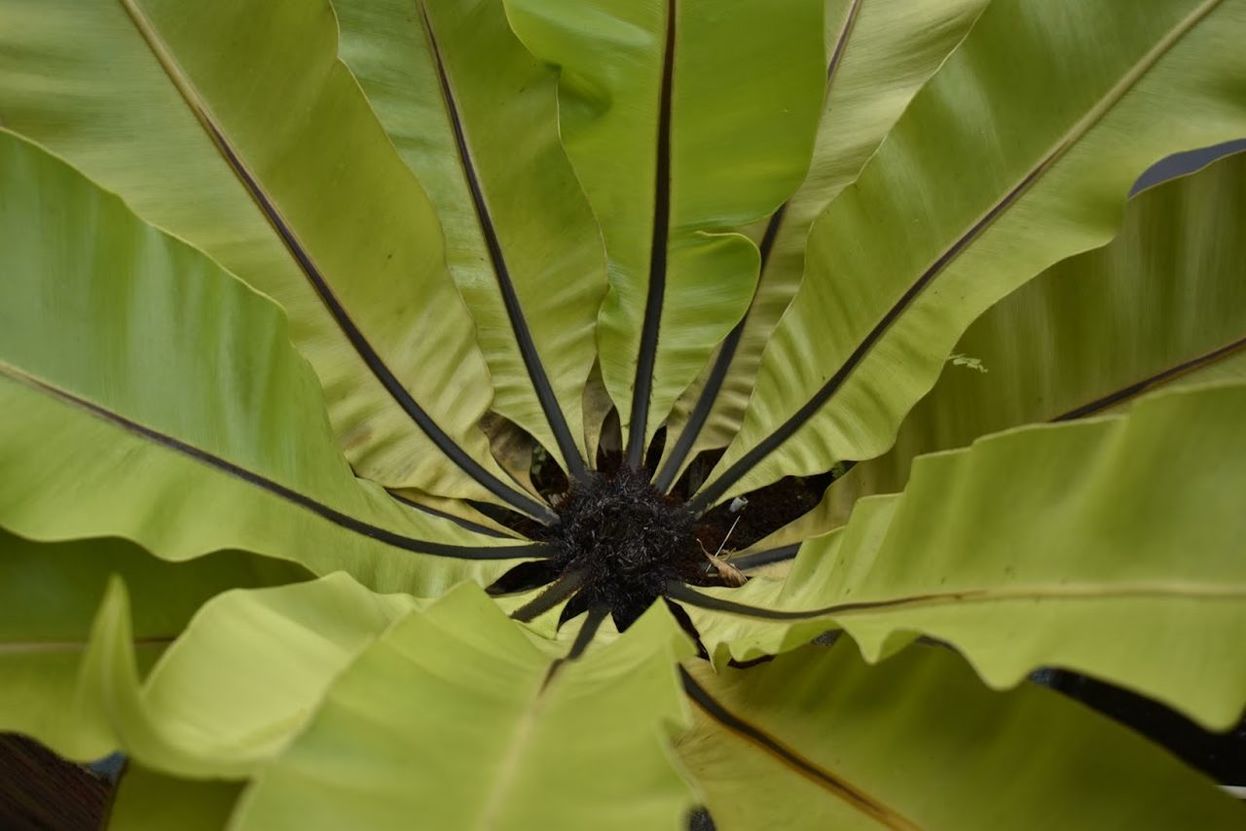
(1163, 305)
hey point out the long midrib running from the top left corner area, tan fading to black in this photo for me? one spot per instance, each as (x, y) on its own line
(337, 312)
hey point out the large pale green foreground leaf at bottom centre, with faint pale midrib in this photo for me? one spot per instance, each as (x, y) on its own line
(449, 722)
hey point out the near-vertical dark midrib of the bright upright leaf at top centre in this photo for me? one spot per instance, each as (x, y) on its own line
(642, 389)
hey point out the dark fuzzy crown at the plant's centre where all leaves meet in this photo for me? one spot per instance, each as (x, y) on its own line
(627, 541)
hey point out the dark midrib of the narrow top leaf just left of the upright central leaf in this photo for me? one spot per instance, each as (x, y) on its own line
(529, 353)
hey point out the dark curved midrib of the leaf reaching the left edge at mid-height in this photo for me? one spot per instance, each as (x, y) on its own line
(287, 494)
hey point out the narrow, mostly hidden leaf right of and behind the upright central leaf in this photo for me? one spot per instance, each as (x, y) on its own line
(879, 54)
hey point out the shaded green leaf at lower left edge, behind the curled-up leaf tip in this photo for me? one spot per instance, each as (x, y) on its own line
(49, 596)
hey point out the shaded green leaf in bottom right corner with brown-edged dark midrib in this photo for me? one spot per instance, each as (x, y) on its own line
(919, 743)
